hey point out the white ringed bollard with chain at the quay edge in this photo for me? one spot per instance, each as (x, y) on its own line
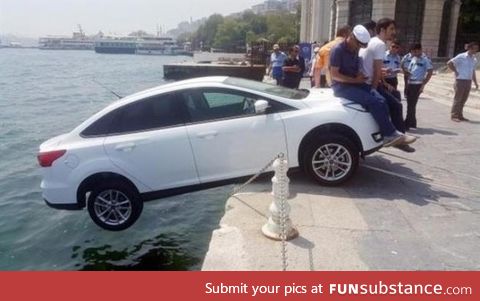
(279, 225)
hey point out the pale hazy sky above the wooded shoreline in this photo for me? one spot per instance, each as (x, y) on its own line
(35, 18)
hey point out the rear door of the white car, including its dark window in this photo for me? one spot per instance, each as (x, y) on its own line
(150, 143)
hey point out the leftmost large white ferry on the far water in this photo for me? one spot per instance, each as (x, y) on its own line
(78, 41)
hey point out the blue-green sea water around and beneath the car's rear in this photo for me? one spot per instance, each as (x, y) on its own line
(46, 93)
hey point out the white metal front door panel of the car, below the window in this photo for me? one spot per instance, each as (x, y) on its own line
(236, 147)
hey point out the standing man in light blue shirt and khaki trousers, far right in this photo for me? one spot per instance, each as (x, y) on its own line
(464, 67)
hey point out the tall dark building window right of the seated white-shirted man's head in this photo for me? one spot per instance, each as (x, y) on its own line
(409, 21)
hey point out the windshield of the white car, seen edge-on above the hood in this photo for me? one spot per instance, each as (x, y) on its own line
(267, 88)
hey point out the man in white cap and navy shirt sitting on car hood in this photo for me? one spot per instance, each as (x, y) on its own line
(349, 82)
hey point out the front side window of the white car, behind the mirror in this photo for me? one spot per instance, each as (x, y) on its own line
(216, 103)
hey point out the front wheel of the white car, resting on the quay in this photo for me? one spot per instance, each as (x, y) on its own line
(331, 159)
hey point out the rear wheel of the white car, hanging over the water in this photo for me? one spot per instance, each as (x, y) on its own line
(114, 206)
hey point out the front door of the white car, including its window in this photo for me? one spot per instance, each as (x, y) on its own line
(228, 139)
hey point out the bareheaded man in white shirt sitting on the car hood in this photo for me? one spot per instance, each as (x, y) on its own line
(371, 65)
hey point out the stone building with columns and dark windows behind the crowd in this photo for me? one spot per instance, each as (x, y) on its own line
(431, 22)
